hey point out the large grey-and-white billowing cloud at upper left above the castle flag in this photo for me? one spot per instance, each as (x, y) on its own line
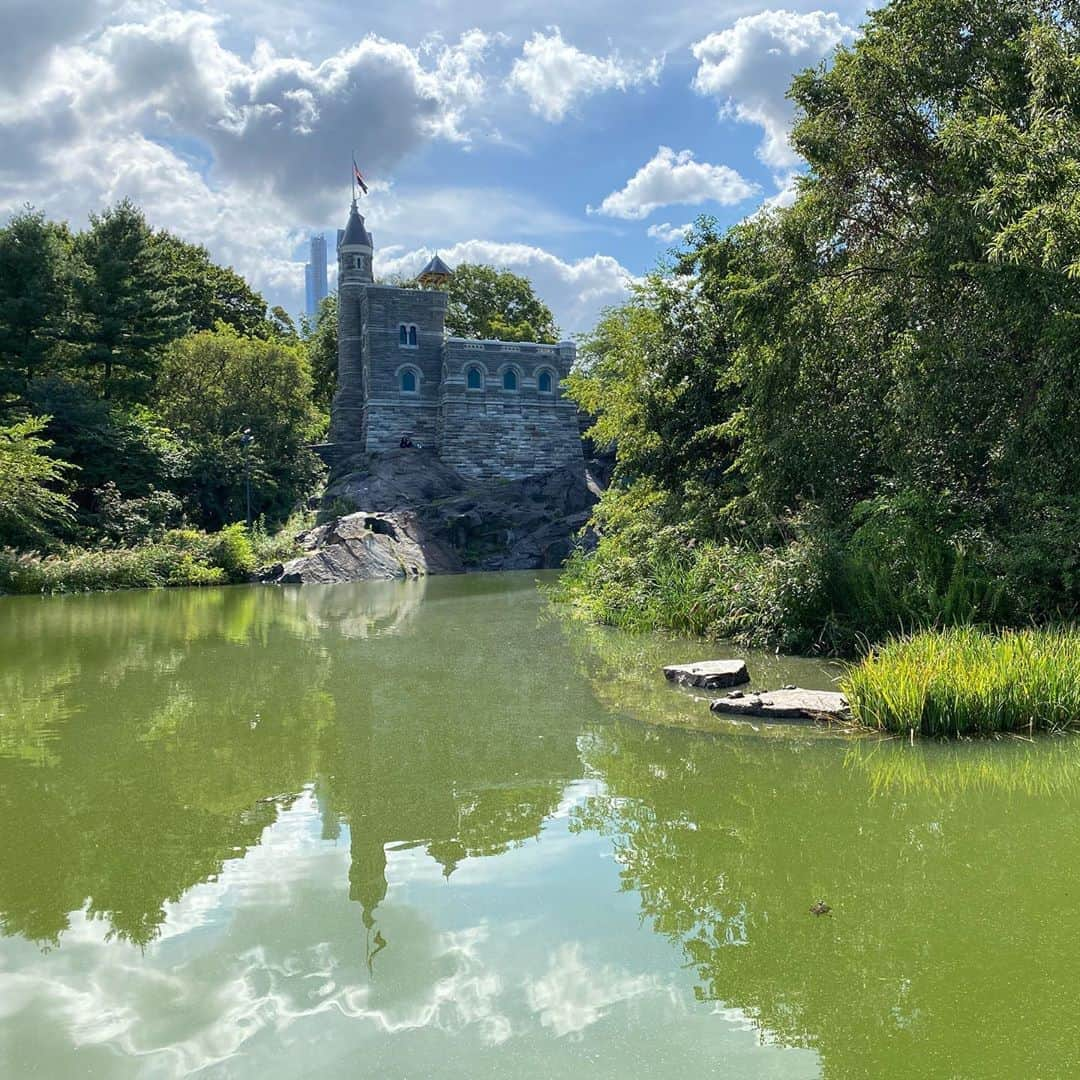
(281, 127)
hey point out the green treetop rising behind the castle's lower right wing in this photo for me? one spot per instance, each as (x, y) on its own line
(485, 303)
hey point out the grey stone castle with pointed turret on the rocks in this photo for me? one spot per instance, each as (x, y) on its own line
(490, 410)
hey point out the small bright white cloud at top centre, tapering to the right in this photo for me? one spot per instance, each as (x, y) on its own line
(555, 75)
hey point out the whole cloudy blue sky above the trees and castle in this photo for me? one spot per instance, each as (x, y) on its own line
(570, 143)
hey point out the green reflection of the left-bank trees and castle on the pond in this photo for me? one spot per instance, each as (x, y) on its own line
(147, 738)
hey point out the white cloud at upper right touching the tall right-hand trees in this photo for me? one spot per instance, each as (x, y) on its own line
(750, 67)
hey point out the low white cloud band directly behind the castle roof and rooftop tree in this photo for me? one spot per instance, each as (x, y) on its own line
(576, 292)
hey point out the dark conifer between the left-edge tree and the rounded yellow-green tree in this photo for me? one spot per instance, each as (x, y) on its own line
(130, 317)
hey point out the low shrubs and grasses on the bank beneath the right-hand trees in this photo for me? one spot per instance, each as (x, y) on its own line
(818, 593)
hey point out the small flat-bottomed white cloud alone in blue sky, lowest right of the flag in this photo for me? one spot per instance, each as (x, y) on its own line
(672, 179)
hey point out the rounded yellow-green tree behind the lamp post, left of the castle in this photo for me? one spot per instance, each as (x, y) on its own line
(214, 387)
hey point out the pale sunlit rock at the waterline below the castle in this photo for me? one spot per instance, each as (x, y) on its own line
(364, 547)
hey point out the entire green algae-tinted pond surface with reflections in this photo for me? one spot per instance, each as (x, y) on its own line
(437, 830)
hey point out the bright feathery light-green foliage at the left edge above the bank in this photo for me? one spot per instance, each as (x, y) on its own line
(30, 506)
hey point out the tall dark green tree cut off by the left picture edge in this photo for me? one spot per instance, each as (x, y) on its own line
(36, 298)
